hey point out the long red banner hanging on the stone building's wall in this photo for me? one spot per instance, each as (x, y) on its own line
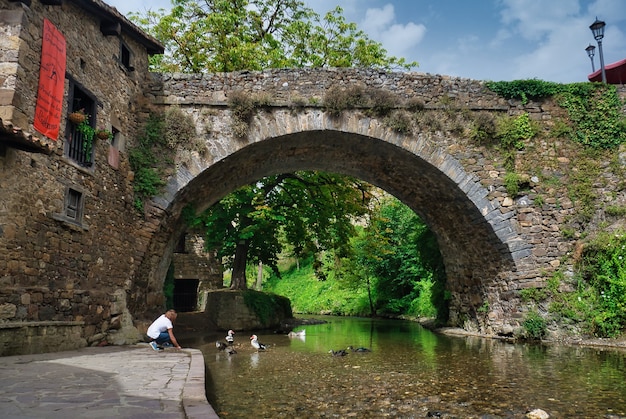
(51, 82)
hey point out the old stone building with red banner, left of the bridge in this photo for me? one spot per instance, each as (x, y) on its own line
(69, 241)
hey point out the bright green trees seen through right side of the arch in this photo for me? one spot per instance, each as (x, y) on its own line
(397, 258)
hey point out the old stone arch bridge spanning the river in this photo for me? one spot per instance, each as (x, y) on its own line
(493, 245)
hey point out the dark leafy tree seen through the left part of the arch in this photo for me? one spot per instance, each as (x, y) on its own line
(312, 211)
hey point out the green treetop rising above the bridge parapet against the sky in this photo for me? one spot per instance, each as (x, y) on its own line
(231, 35)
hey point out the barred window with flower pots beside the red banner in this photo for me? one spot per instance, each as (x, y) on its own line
(79, 145)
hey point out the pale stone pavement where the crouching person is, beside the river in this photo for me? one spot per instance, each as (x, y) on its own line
(106, 382)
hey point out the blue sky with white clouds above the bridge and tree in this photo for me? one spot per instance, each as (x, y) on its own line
(479, 39)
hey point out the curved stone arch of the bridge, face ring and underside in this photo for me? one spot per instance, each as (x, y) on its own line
(483, 253)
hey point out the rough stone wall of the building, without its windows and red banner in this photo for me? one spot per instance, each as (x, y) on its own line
(52, 269)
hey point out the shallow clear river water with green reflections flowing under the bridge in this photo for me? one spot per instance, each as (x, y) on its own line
(409, 373)
